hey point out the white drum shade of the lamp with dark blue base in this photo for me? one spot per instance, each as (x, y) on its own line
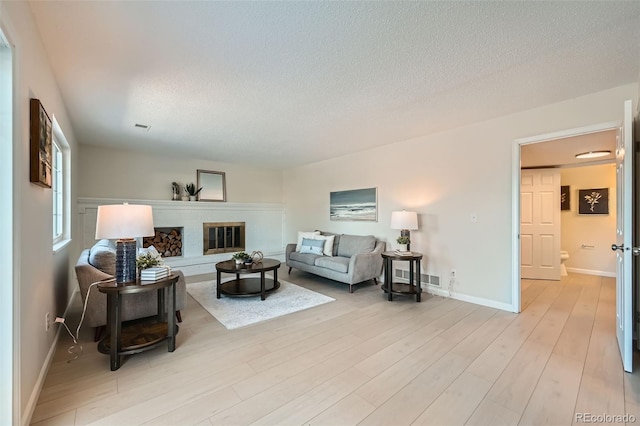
(124, 221)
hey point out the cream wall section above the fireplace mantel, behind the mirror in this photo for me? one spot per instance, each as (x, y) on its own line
(117, 173)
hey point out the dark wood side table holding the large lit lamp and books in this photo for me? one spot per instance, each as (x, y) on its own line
(142, 334)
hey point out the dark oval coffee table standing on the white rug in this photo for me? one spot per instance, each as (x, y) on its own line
(247, 286)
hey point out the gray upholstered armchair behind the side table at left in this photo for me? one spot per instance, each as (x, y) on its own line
(98, 263)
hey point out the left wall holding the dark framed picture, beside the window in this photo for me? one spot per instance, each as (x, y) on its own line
(40, 280)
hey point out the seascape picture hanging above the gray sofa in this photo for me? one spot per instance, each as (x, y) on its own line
(355, 204)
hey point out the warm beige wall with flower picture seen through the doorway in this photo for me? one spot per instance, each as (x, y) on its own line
(597, 232)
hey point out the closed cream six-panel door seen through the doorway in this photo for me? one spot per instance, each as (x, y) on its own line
(540, 224)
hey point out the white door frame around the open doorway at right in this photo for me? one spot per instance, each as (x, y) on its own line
(515, 194)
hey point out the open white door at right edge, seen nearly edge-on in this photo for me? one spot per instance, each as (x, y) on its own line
(624, 237)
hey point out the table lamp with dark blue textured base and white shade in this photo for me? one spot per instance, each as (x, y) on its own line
(124, 222)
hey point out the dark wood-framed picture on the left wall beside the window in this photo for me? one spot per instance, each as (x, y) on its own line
(40, 146)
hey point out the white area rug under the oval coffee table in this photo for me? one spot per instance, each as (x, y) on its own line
(234, 312)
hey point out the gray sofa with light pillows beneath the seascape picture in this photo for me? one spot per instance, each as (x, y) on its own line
(355, 258)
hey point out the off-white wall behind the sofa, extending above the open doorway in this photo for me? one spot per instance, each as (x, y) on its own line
(445, 178)
